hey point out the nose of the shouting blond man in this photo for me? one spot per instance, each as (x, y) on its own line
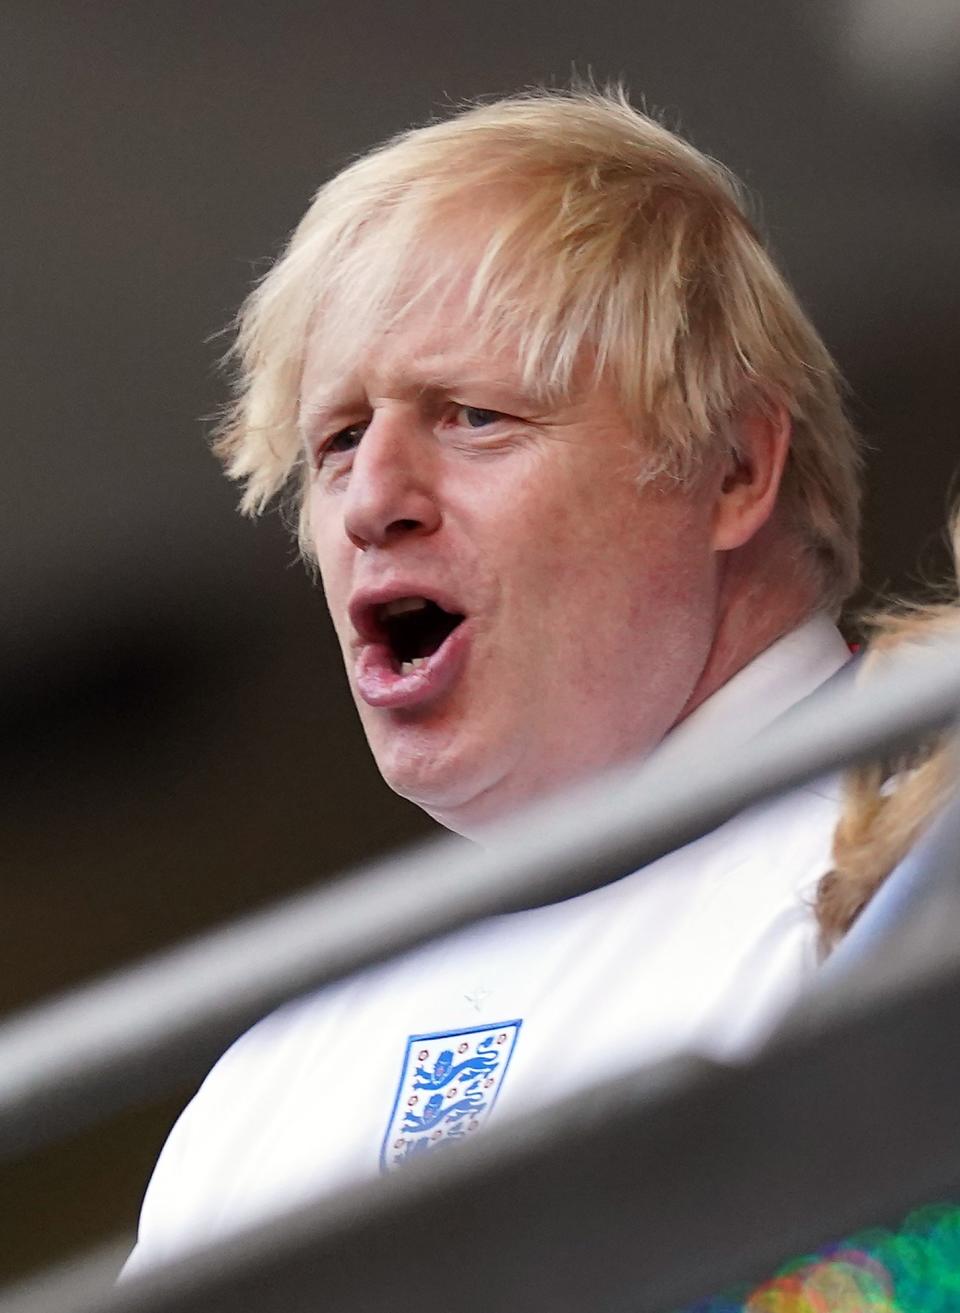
(392, 489)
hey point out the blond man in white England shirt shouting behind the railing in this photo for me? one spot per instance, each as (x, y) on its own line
(576, 475)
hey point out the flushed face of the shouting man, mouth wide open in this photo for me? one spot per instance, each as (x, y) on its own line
(514, 610)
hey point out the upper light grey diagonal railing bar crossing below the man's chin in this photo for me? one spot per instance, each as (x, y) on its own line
(148, 1029)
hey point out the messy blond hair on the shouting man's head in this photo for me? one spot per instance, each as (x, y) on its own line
(606, 233)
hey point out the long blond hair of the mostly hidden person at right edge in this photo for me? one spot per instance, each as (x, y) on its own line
(888, 804)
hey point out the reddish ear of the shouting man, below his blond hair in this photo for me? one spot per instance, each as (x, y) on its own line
(751, 477)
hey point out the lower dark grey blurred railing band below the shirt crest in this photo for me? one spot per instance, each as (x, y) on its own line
(639, 1197)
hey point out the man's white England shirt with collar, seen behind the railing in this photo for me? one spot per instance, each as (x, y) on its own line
(699, 951)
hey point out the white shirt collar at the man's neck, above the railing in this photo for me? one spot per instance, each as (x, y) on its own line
(769, 686)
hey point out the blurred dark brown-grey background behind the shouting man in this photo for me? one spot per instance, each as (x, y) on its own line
(178, 739)
